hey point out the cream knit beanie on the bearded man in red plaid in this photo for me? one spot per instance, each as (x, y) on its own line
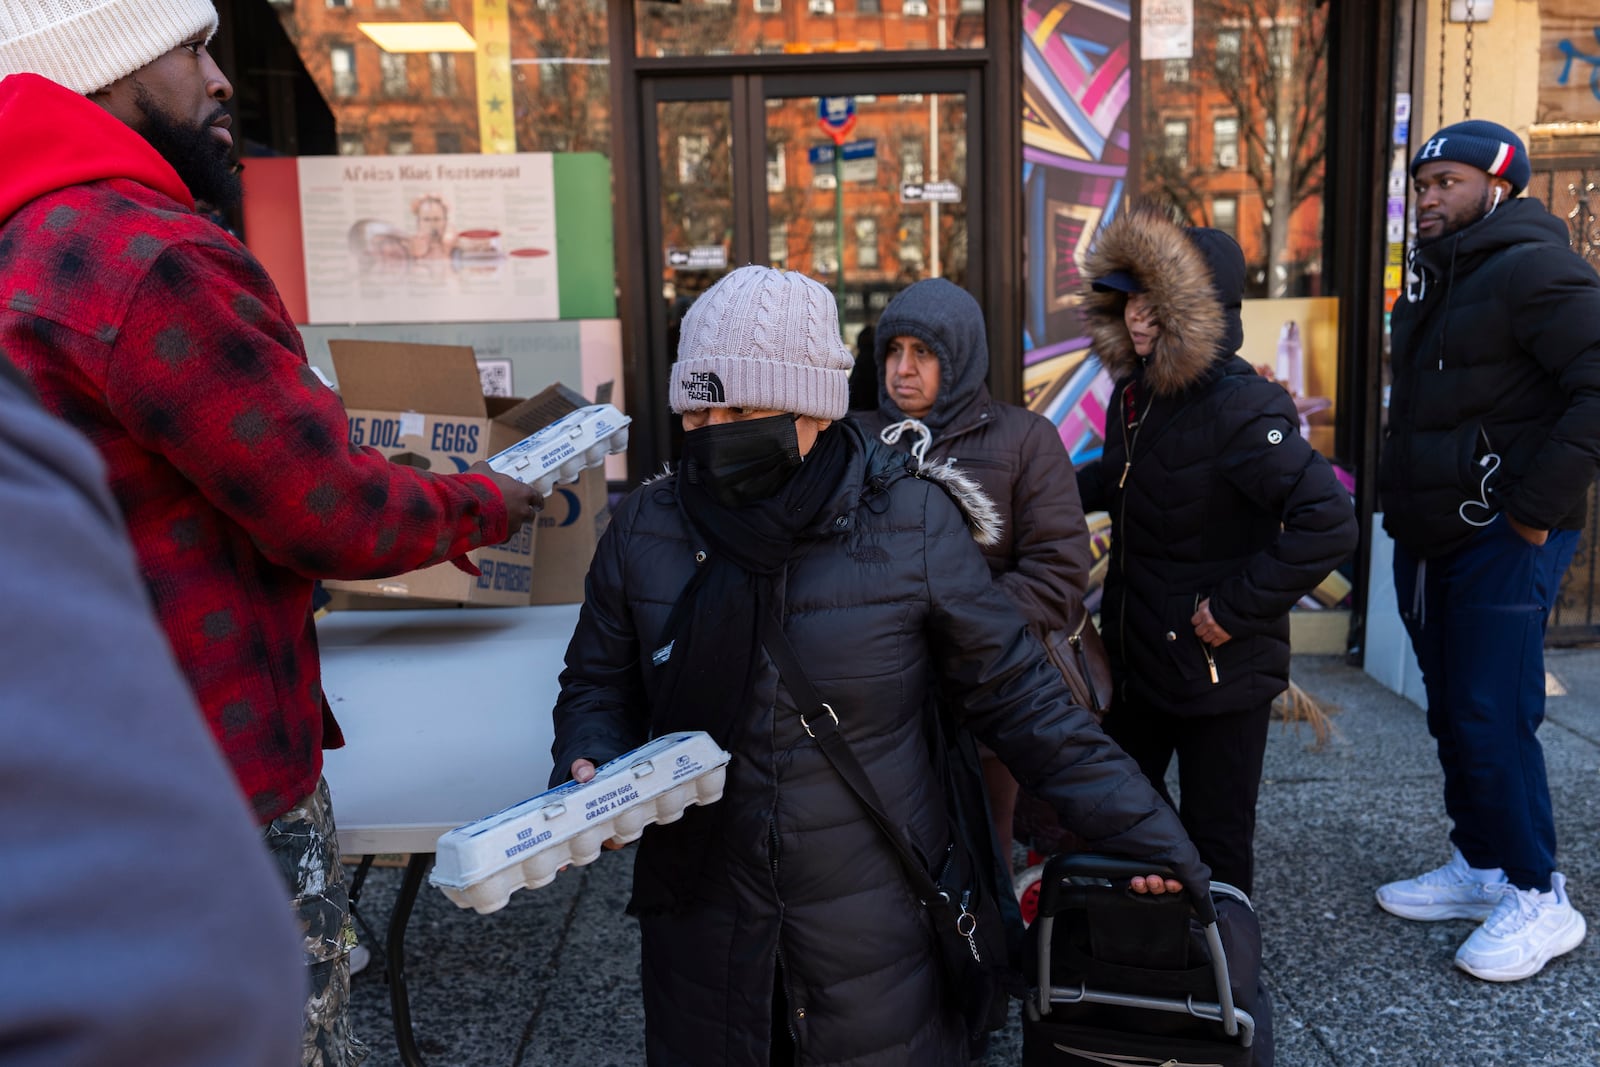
(86, 46)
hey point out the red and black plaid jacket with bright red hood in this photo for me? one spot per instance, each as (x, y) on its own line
(164, 342)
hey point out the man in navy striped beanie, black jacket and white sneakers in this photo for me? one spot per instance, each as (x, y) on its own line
(1492, 447)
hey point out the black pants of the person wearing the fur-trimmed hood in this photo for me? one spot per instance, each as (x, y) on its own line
(1218, 777)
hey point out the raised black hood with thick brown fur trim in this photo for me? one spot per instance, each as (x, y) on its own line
(1196, 279)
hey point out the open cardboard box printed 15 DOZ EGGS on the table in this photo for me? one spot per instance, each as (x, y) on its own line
(423, 406)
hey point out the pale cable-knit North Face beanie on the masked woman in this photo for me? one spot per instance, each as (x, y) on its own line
(766, 340)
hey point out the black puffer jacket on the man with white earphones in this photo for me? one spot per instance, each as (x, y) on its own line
(1497, 350)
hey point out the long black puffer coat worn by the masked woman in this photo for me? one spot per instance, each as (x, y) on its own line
(886, 594)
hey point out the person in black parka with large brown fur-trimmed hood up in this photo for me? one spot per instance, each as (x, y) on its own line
(1223, 518)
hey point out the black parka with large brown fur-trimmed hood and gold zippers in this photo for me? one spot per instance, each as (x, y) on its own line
(1214, 495)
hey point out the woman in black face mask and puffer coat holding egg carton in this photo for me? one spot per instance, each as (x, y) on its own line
(778, 925)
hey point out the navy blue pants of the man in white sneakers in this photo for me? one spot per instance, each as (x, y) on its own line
(1478, 621)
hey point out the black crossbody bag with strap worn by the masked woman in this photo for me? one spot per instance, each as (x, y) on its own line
(964, 905)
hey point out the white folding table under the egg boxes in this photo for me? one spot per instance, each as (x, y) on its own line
(447, 719)
